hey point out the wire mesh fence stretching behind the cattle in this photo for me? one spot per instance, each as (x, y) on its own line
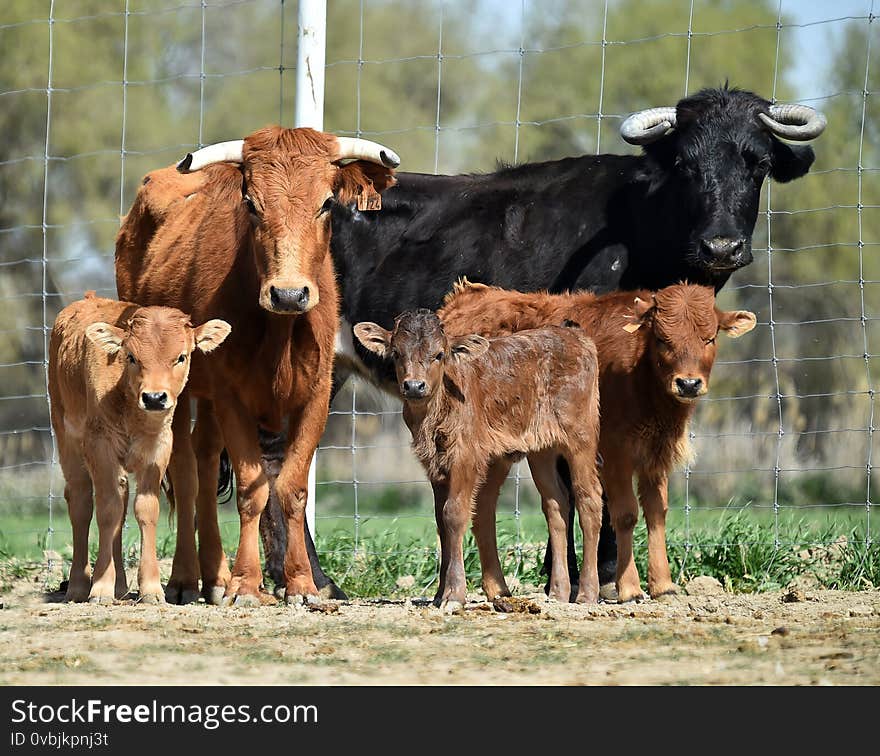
(95, 94)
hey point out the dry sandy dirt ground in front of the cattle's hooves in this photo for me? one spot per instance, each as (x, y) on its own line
(784, 638)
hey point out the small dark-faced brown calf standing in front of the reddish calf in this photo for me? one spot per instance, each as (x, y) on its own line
(474, 407)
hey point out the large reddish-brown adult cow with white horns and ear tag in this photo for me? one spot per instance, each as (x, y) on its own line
(247, 239)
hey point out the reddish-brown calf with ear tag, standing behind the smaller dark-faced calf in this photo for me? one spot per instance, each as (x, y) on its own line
(656, 350)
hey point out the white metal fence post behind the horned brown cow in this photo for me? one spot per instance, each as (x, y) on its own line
(309, 111)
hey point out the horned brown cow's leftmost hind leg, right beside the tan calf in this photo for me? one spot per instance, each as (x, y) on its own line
(183, 585)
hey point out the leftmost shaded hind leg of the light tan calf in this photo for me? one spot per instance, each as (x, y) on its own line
(78, 493)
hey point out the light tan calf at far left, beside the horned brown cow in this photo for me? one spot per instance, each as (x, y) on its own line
(116, 371)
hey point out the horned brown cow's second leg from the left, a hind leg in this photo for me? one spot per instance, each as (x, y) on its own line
(207, 440)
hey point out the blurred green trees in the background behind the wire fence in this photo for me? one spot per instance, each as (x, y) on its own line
(203, 74)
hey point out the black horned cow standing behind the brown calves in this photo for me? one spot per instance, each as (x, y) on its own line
(685, 209)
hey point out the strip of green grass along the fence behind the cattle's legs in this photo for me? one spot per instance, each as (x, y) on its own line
(748, 549)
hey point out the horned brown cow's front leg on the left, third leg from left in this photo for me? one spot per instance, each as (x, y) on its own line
(240, 434)
